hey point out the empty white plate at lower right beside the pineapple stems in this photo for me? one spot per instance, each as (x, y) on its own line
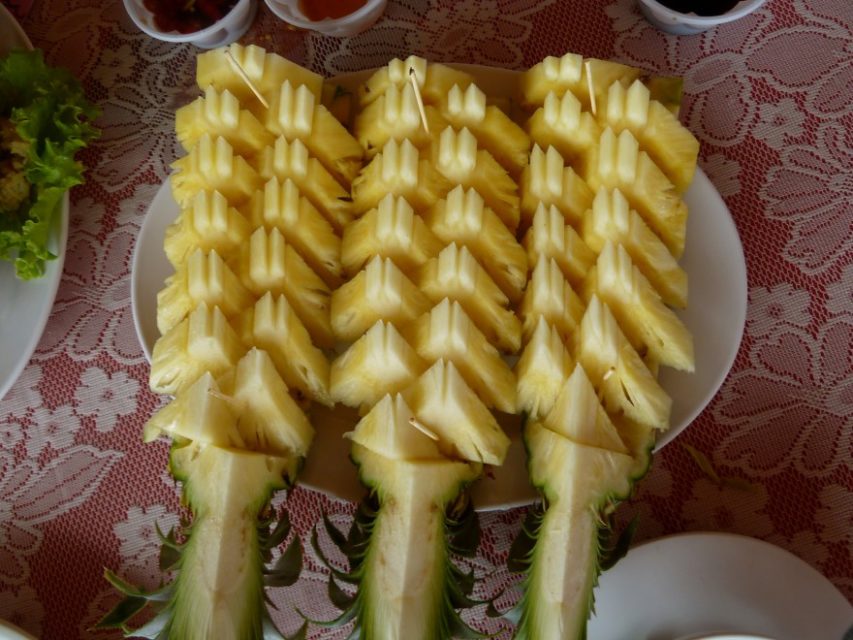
(704, 583)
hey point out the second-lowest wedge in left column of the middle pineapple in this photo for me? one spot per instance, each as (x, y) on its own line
(379, 362)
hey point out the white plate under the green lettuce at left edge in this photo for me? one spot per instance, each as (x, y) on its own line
(25, 306)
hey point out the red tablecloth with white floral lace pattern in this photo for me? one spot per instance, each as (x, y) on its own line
(771, 99)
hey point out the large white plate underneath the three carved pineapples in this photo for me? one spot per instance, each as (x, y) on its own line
(716, 269)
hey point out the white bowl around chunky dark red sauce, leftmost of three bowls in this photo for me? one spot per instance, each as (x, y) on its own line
(222, 32)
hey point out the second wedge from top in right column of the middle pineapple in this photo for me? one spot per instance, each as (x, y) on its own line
(459, 160)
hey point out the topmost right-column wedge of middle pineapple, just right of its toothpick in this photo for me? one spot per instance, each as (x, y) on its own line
(494, 130)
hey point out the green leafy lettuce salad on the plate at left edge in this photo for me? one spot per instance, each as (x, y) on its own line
(45, 119)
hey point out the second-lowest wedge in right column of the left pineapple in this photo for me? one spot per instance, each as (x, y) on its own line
(272, 325)
